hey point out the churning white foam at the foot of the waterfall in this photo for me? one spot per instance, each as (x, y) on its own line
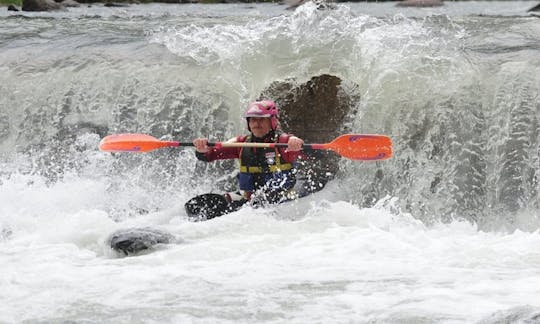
(314, 260)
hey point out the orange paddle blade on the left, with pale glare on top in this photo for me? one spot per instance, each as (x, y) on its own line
(132, 143)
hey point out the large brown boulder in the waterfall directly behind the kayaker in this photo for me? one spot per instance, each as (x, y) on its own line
(315, 111)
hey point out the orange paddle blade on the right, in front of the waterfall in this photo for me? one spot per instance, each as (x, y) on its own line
(362, 146)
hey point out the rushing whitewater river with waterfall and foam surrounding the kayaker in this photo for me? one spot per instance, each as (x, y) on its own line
(447, 231)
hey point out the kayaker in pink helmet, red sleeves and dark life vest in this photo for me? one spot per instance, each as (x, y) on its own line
(265, 173)
